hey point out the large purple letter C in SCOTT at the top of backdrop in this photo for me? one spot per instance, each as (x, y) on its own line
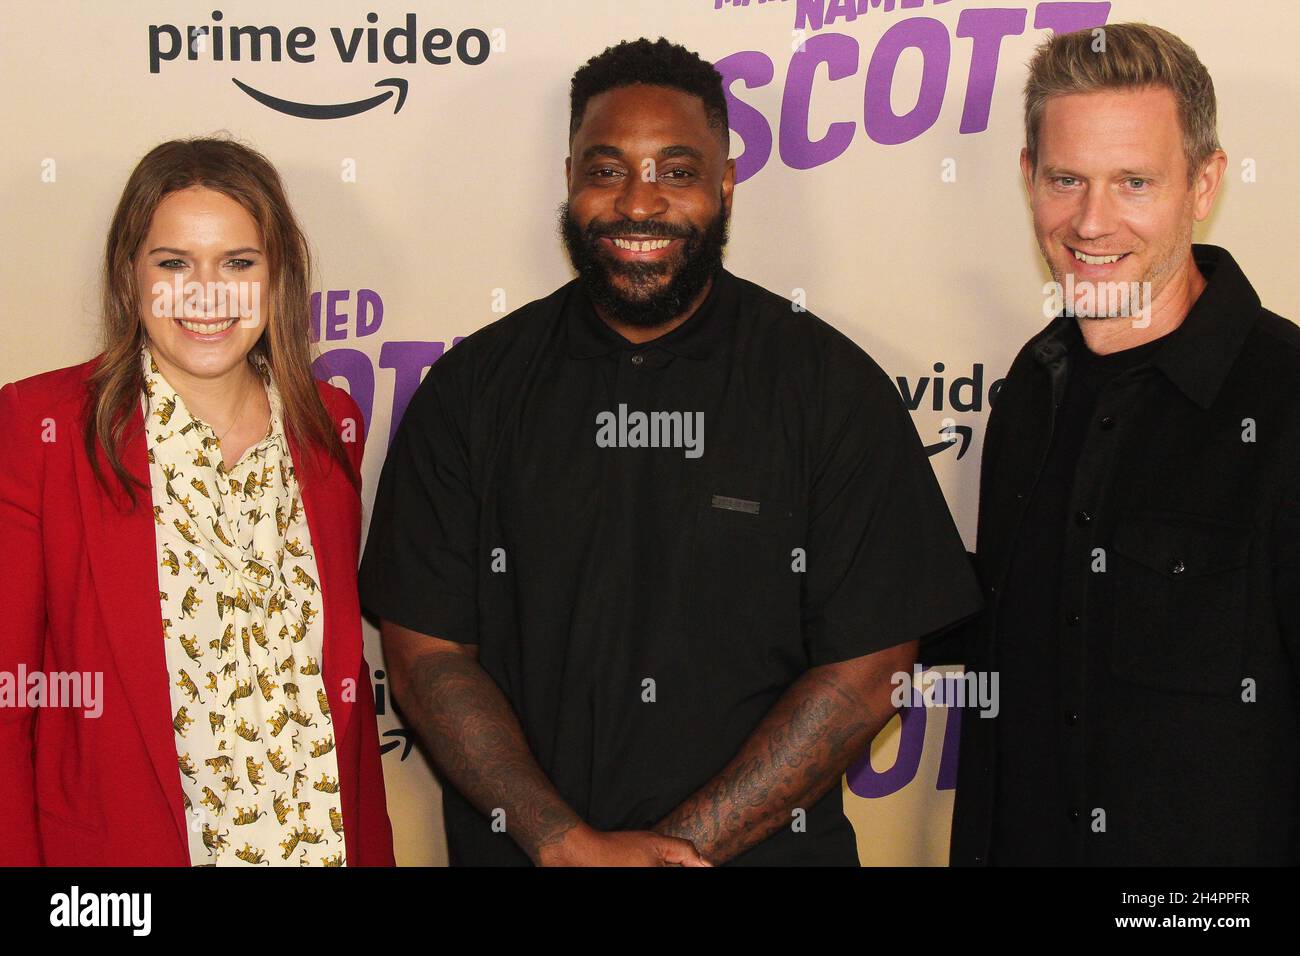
(840, 55)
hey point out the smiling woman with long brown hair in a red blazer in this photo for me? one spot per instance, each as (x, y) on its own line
(181, 522)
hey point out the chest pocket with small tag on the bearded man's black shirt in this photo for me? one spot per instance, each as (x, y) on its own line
(744, 592)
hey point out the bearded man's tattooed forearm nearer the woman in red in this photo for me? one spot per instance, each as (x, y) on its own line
(476, 742)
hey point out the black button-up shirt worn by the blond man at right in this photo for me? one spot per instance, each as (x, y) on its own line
(1147, 641)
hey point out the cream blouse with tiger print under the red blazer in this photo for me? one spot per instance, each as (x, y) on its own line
(244, 638)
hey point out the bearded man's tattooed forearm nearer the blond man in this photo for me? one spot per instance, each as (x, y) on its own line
(794, 758)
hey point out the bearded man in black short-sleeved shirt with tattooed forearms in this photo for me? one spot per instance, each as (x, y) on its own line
(649, 552)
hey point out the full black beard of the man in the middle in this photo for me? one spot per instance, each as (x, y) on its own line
(648, 302)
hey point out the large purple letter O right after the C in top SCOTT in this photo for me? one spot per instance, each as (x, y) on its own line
(931, 38)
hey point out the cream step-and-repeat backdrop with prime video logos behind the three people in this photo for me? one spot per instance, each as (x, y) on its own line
(423, 146)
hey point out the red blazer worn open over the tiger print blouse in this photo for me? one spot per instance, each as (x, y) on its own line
(79, 578)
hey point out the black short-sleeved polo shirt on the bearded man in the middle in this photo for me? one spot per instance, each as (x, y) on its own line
(643, 608)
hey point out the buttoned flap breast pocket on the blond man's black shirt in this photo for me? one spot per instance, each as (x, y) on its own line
(1181, 603)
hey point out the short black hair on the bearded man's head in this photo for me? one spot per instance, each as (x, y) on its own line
(658, 64)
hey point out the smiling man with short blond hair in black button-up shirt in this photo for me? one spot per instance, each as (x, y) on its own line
(1139, 505)
